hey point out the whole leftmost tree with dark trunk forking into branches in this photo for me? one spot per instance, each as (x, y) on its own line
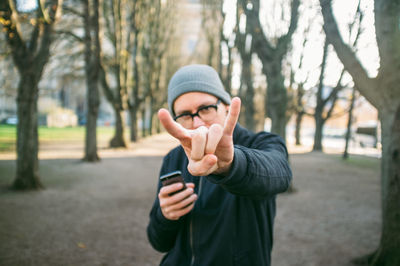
(30, 55)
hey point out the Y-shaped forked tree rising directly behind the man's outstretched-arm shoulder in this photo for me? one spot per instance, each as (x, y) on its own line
(271, 57)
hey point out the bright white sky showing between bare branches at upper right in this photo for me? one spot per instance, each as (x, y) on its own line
(344, 12)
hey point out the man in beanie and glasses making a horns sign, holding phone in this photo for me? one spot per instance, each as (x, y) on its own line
(226, 213)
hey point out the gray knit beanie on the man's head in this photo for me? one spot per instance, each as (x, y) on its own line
(196, 78)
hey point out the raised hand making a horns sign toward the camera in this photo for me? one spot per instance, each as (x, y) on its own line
(209, 150)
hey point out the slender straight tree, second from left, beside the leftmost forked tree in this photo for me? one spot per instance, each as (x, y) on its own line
(92, 69)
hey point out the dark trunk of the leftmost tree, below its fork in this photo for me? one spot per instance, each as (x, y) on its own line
(27, 176)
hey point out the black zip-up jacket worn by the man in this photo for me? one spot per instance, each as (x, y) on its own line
(232, 221)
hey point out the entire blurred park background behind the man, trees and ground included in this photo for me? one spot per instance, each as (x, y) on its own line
(84, 79)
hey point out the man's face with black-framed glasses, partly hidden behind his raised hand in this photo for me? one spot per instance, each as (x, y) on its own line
(192, 102)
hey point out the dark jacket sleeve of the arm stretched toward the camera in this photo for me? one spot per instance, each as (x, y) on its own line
(259, 170)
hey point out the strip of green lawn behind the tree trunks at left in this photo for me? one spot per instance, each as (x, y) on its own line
(8, 135)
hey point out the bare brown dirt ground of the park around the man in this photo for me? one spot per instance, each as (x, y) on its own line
(96, 214)
